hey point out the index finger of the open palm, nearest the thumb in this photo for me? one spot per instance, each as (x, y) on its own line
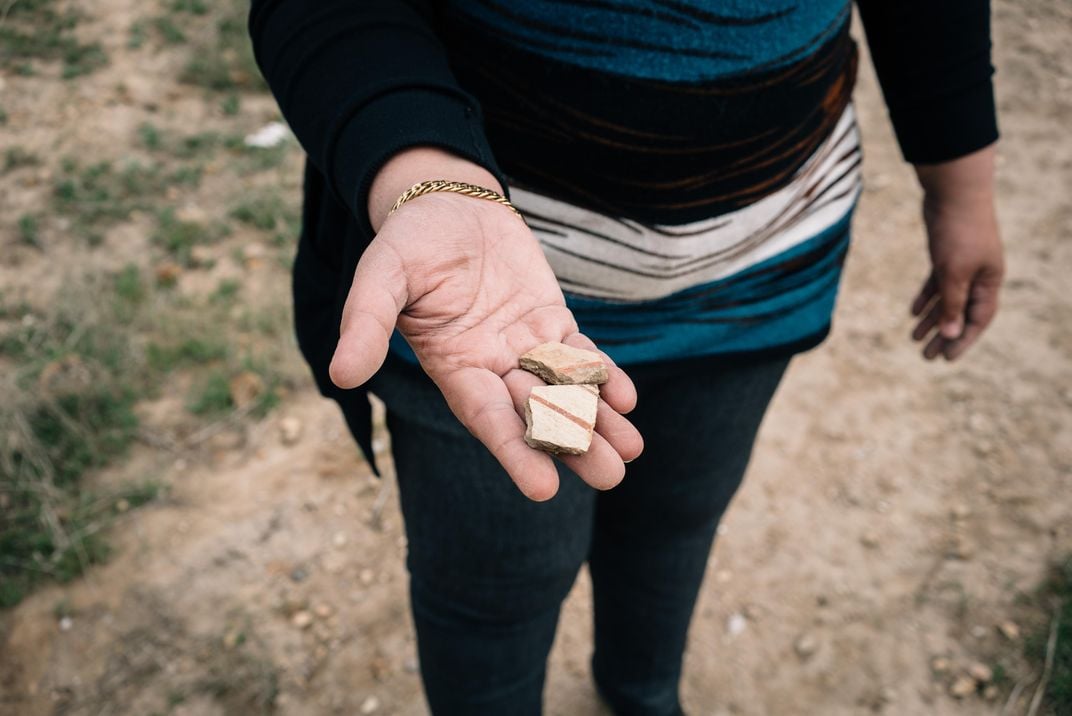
(484, 406)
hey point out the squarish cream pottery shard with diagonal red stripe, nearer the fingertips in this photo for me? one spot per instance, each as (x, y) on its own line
(560, 419)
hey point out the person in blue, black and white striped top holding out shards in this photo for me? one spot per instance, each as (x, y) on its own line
(687, 171)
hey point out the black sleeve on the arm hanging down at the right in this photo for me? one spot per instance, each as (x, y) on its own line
(933, 59)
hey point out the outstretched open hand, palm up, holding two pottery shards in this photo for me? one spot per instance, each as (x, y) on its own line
(467, 284)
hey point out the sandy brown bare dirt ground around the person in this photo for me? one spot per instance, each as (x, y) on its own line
(895, 516)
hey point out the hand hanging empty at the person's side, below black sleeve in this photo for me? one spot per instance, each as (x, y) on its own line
(960, 299)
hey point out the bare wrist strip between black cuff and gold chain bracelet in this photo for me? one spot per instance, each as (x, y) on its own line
(412, 167)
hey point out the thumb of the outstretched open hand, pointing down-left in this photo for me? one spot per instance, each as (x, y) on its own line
(377, 297)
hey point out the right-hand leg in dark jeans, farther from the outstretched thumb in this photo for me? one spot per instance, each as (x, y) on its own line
(653, 533)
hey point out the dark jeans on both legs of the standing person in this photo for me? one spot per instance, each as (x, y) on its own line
(489, 570)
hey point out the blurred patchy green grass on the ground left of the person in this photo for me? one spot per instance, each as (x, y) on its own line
(79, 359)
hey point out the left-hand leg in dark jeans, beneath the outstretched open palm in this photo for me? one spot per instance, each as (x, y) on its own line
(488, 569)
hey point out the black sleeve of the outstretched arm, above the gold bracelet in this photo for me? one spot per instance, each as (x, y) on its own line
(359, 81)
